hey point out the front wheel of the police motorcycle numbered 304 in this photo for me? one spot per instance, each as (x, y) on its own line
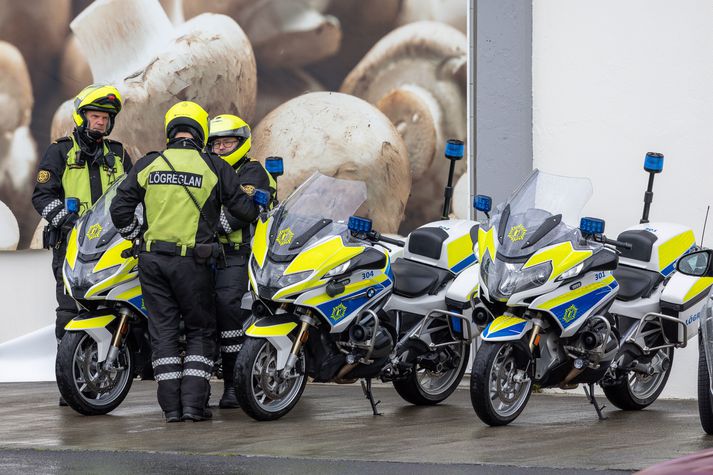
(263, 393)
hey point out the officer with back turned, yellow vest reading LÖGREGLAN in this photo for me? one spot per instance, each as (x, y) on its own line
(182, 189)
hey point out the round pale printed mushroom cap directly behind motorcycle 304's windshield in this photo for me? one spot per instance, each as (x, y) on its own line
(341, 136)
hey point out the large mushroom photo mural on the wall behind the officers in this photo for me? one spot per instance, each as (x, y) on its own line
(262, 60)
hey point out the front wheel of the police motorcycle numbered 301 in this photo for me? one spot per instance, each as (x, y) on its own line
(500, 382)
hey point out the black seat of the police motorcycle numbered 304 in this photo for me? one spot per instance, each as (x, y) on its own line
(414, 279)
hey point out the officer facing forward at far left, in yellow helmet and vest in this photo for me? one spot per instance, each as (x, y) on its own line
(82, 165)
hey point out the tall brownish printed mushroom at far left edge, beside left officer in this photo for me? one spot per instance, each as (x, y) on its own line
(18, 154)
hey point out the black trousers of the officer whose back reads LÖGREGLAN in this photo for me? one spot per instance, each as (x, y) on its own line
(176, 288)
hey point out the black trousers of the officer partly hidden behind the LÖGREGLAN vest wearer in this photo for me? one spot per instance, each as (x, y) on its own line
(231, 282)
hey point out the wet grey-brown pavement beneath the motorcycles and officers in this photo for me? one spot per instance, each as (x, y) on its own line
(332, 430)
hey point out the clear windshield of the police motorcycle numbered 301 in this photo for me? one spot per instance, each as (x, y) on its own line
(544, 210)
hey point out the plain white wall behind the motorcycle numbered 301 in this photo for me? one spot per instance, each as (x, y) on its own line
(612, 80)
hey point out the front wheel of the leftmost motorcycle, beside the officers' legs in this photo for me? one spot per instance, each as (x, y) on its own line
(84, 383)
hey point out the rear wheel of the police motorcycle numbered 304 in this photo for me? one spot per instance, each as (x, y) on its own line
(423, 387)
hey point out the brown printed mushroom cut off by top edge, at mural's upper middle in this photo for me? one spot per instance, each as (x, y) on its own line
(283, 33)
